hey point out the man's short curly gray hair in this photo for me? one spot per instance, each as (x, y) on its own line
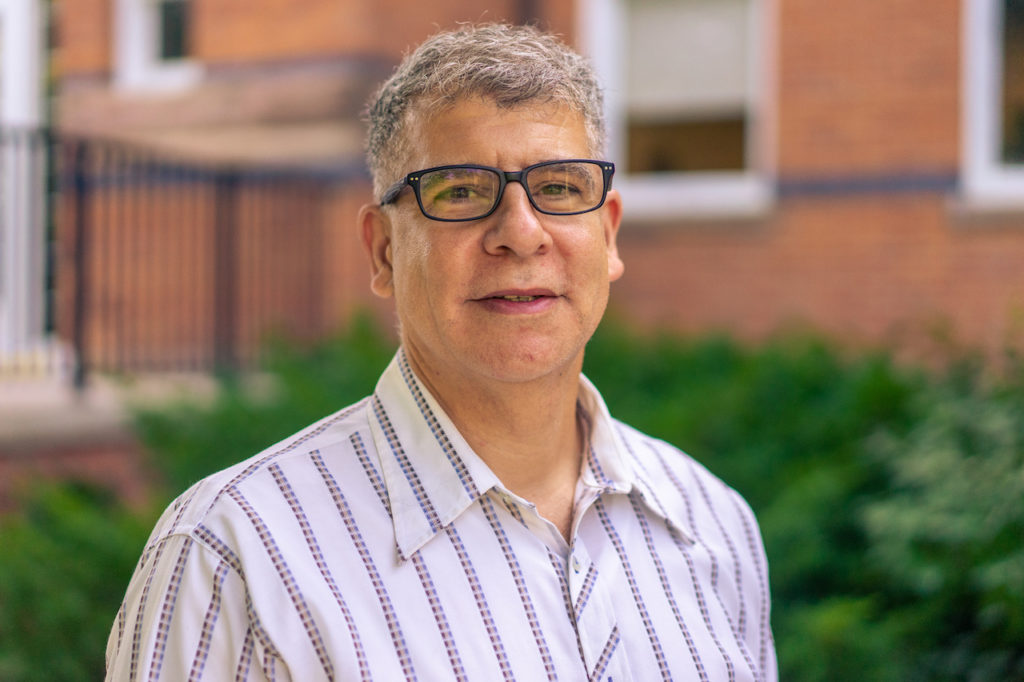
(508, 65)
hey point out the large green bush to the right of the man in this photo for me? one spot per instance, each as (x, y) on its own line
(891, 501)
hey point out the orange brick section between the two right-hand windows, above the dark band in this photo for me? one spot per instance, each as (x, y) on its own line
(868, 87)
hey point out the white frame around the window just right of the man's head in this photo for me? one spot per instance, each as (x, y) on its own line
(685, 195)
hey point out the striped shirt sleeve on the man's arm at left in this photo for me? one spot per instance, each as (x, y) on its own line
(187, 617)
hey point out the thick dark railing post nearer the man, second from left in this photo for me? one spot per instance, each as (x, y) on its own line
(225, 276)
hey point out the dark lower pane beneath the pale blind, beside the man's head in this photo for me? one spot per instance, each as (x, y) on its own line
(687, 146)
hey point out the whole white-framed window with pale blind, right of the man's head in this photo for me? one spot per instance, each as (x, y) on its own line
(686, 86)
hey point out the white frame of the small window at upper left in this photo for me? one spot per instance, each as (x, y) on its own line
(138, 64)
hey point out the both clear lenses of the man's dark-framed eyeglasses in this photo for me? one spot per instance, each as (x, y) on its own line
(464, 194)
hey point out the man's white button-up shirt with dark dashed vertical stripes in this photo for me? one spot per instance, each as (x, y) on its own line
(376, 545)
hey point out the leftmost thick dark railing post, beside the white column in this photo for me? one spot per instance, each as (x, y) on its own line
(80, 185)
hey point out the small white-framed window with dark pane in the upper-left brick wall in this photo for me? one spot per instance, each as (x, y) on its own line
(154, 49)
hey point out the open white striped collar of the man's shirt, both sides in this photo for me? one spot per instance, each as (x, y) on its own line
(433, 476)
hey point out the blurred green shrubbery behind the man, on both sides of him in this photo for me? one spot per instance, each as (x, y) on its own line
(890, 499)
